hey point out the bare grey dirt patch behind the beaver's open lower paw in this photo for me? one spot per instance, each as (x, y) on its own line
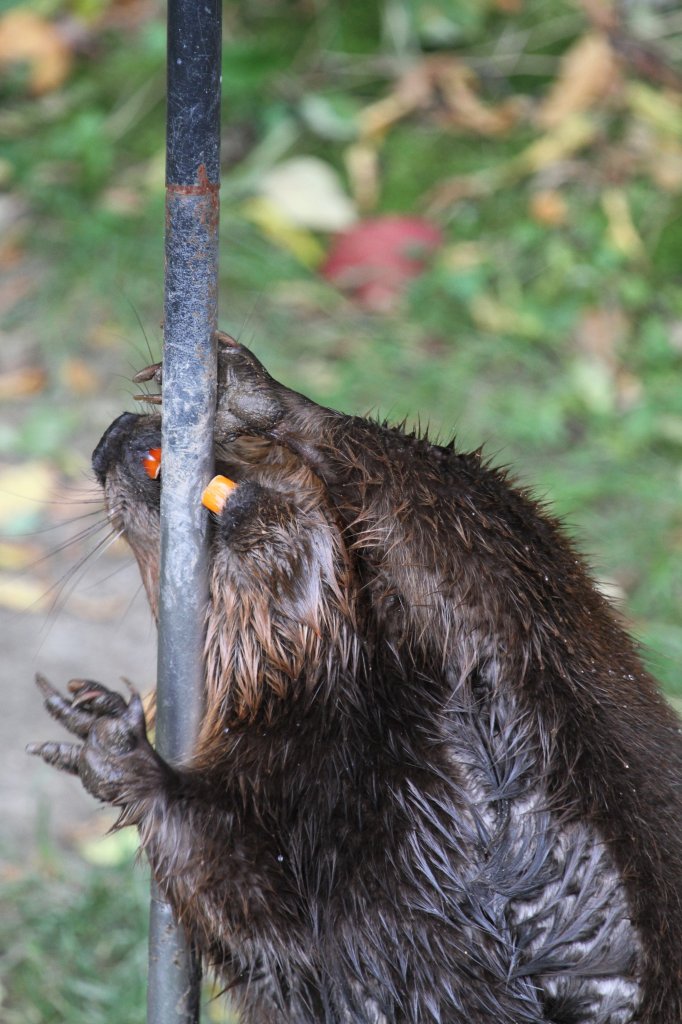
(113, 637)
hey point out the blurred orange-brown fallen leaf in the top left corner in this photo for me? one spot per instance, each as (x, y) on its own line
(28, 38)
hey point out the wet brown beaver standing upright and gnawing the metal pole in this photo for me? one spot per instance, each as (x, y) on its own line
(434, 782)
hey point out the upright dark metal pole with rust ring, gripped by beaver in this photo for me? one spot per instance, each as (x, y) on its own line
(193, 177)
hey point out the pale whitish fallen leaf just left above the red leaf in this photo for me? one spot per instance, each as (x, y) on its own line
(309, 193)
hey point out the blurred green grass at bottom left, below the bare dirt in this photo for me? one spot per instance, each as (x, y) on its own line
(73, 945)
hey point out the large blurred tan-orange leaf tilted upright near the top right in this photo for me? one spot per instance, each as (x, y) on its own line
(588, 74)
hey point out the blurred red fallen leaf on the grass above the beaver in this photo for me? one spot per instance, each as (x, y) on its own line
(376, 260)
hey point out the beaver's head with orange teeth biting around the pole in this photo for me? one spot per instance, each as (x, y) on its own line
(282, 623)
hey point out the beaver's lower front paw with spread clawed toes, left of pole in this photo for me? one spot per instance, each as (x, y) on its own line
(116, 762)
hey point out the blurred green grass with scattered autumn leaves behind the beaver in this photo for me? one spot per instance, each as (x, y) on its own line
(540, 313)
